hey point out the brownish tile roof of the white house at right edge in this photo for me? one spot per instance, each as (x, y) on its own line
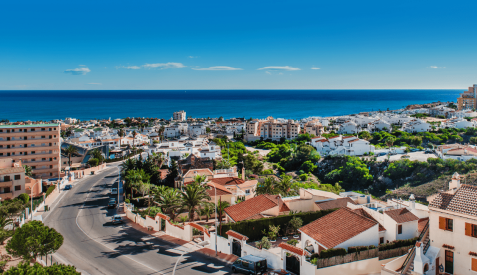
(463, 201)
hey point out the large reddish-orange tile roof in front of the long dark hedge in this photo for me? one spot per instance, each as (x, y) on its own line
(337, 227)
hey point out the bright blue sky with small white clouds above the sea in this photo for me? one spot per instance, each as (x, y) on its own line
(54, 45)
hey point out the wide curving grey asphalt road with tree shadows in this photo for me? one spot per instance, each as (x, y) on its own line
(95, 246)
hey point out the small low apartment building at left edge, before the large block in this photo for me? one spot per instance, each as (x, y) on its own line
(12, 179)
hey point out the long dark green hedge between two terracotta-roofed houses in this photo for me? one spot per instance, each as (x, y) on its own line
(253, 228)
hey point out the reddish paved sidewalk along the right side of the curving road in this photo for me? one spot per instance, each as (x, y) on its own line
(191, 246)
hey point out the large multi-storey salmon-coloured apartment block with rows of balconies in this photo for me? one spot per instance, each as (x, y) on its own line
(37, 146)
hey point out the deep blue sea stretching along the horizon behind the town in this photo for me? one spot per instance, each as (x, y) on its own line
(295, 104)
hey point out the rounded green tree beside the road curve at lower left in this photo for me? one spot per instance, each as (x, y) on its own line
(34, 239)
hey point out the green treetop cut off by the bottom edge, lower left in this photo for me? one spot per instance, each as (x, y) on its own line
(37, 269)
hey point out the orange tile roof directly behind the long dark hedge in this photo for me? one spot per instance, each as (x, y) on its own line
(254, 206)
